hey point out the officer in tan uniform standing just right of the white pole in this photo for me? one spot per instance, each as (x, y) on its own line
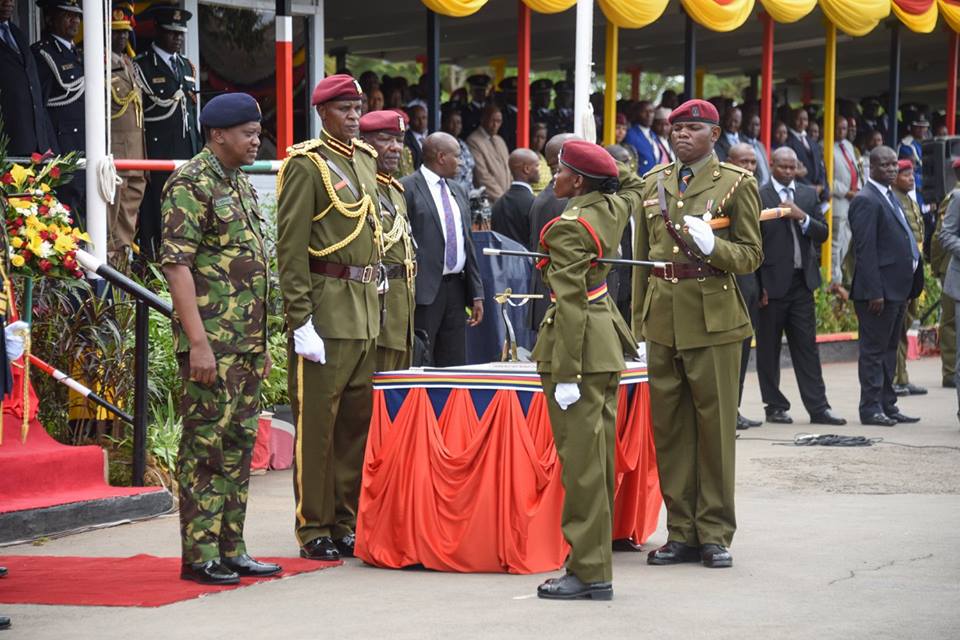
(126, 135)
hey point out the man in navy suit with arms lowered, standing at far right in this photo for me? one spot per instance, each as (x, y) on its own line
(887, 272)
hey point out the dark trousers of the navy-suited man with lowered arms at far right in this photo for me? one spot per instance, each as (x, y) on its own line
(877, 364)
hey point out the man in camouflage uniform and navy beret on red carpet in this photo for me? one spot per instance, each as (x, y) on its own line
(214, 260)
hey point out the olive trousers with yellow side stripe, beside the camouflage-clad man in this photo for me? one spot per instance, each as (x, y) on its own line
(332, 404)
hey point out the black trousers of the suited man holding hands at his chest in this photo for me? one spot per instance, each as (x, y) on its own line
(795, 316)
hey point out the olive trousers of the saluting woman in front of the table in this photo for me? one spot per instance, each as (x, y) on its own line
(585, 435)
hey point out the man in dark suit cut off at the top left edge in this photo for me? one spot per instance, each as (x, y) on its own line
(25, 118)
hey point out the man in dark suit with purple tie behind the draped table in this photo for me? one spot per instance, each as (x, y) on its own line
(448, 278)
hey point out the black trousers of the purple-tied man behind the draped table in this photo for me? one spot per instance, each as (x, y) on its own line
(445, 322)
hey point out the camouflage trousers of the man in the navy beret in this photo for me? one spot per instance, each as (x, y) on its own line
(213, 469)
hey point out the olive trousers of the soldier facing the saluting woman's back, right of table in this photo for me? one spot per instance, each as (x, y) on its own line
(693, 401)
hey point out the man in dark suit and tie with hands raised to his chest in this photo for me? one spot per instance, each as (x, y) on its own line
(789, 275)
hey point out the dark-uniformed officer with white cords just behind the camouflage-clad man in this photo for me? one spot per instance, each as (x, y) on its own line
(169, 83)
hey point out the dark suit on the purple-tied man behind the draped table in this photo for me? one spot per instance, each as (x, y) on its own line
(440, 298)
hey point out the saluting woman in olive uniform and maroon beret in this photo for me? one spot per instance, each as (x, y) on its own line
(579, 355)
